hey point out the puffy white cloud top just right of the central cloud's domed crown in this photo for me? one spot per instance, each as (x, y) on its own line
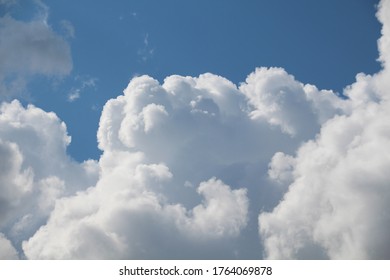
(277, 98)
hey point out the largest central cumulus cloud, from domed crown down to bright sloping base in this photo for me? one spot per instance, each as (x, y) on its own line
(153, 143)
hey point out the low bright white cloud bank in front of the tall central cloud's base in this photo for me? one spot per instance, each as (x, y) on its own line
(130, 221)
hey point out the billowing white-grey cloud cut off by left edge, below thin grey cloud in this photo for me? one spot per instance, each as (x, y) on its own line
(35, 169)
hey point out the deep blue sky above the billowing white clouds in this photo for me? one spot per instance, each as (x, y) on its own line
(324, 43)
